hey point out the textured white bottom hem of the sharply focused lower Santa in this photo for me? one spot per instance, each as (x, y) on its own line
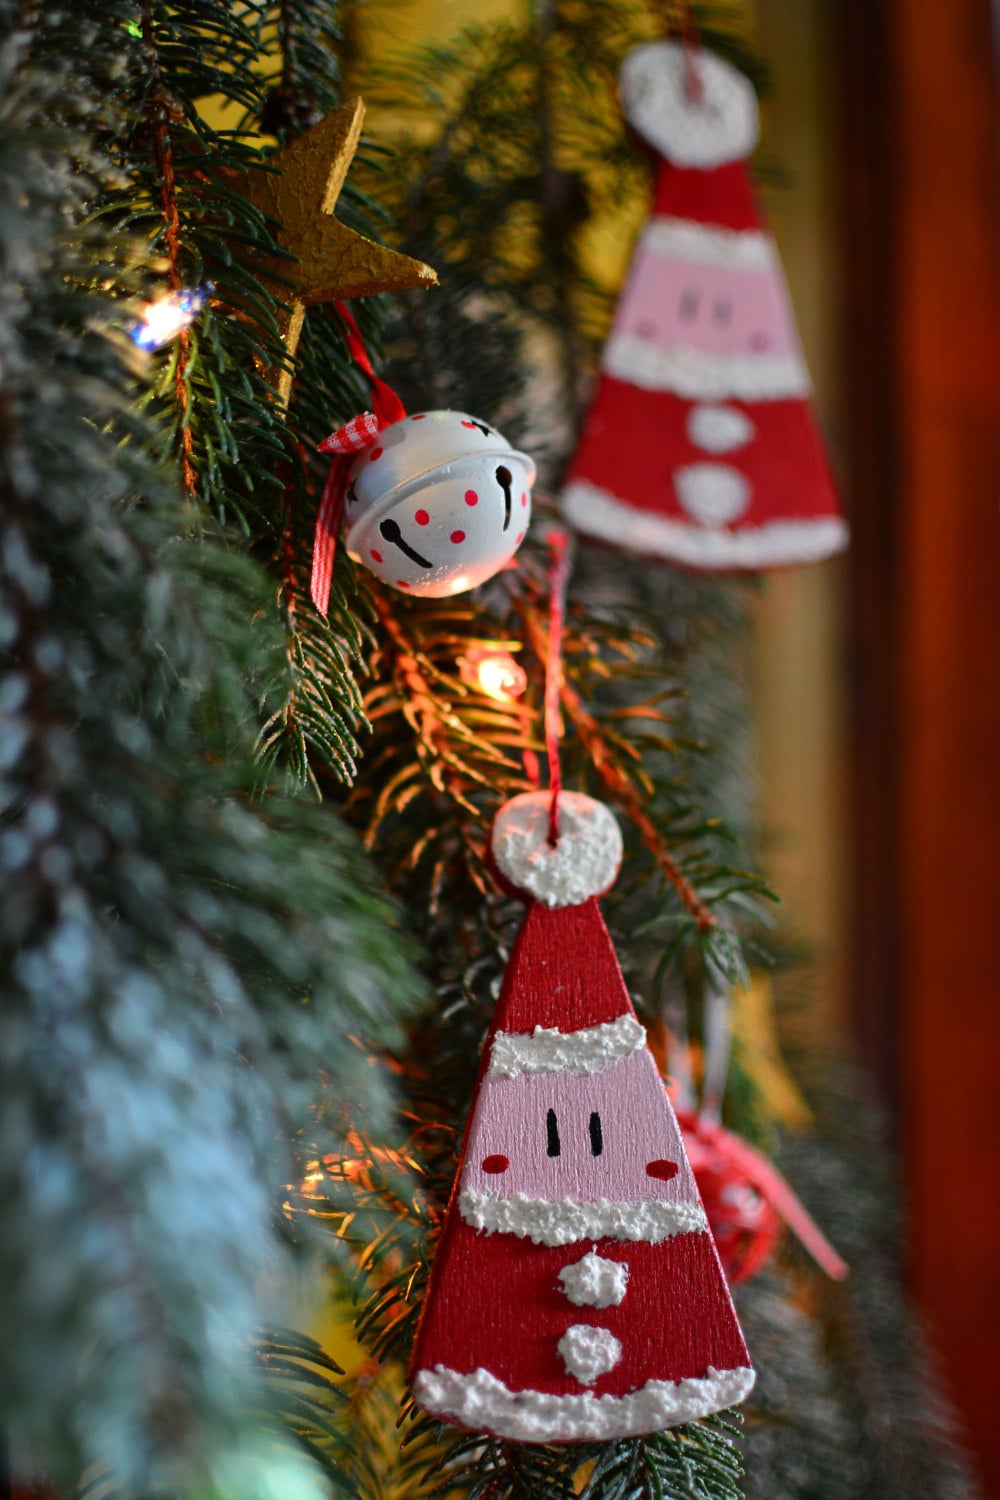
(485, 1403)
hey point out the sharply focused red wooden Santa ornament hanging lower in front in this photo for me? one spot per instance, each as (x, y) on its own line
(576, 1294)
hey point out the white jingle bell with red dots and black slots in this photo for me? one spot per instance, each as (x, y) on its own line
(439, 503)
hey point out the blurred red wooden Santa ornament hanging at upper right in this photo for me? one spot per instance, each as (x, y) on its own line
(701, 445)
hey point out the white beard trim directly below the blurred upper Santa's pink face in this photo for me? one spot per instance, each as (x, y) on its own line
(701, 376)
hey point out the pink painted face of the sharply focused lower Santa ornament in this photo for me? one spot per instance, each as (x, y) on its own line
(579, 1136)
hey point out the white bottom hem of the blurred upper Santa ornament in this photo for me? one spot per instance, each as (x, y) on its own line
(779, 544)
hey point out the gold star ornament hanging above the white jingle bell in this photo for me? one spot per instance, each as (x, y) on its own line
(332, 263)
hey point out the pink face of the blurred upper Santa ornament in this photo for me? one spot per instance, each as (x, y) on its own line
(674, 304)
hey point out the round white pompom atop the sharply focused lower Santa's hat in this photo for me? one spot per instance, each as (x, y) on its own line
(585, 860)
